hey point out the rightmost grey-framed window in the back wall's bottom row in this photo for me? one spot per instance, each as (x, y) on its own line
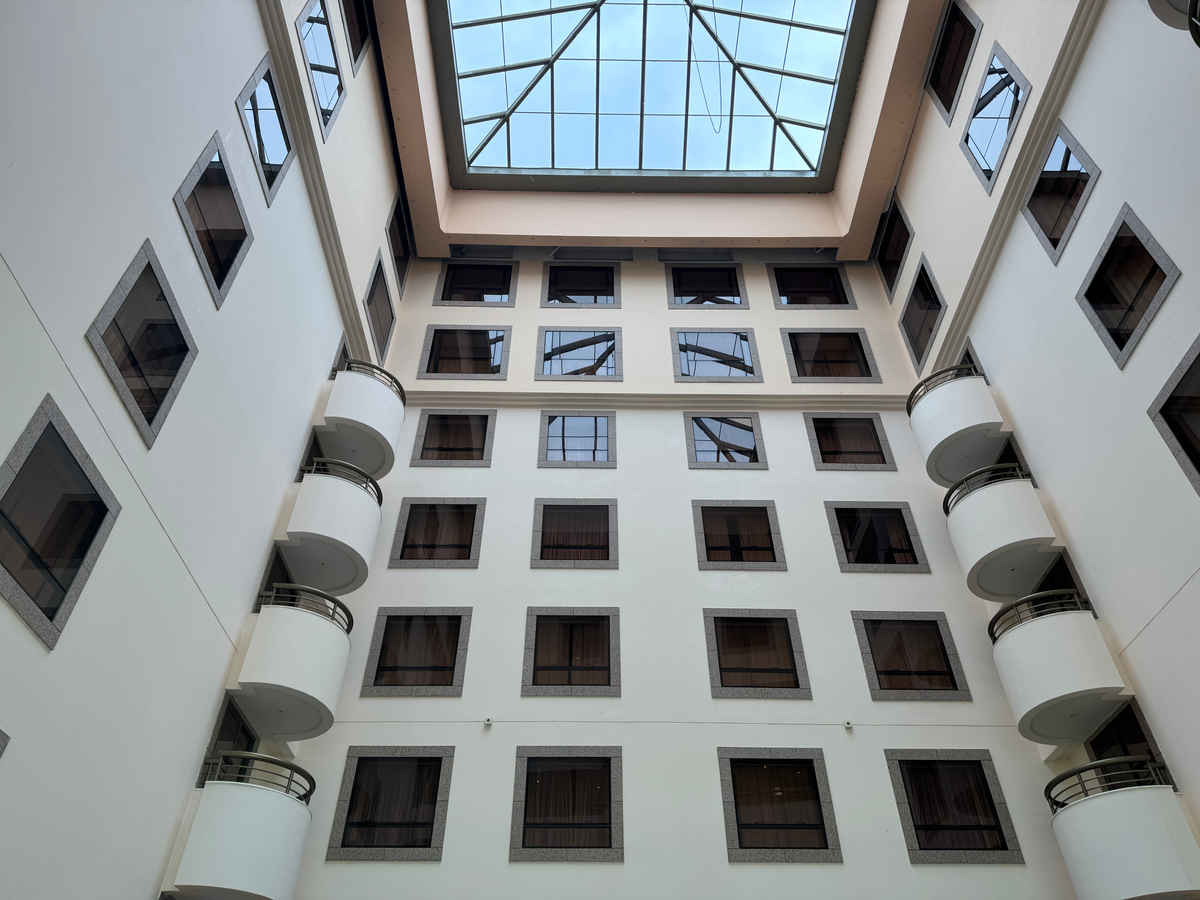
(973, 773)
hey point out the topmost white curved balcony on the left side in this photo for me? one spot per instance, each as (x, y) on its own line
(363, 418)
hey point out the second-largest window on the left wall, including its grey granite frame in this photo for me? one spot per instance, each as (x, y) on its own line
(143, 344)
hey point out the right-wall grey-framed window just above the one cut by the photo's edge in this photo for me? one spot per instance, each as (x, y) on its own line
(1126, 286)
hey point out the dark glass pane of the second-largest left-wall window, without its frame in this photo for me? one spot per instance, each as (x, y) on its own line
(147, 344)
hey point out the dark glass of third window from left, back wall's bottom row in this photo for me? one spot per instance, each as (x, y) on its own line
(778, 805)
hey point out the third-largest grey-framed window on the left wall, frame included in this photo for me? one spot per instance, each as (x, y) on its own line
(215, 220)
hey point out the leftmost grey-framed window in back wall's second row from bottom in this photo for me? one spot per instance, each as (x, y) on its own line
(412, 656)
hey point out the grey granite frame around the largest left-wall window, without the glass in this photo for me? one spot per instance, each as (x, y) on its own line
(47, 415)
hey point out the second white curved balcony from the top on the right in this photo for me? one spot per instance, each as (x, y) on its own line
(999, 531)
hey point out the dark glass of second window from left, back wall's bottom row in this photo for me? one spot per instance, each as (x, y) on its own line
(568, 803)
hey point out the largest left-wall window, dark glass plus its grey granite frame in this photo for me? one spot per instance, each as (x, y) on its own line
(56, 515)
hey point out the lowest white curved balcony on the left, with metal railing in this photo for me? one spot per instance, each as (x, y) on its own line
(248, 837)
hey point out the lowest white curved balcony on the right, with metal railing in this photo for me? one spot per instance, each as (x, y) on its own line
(1123, 832)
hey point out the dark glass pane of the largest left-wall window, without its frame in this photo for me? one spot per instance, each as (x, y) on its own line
(49, 519)
